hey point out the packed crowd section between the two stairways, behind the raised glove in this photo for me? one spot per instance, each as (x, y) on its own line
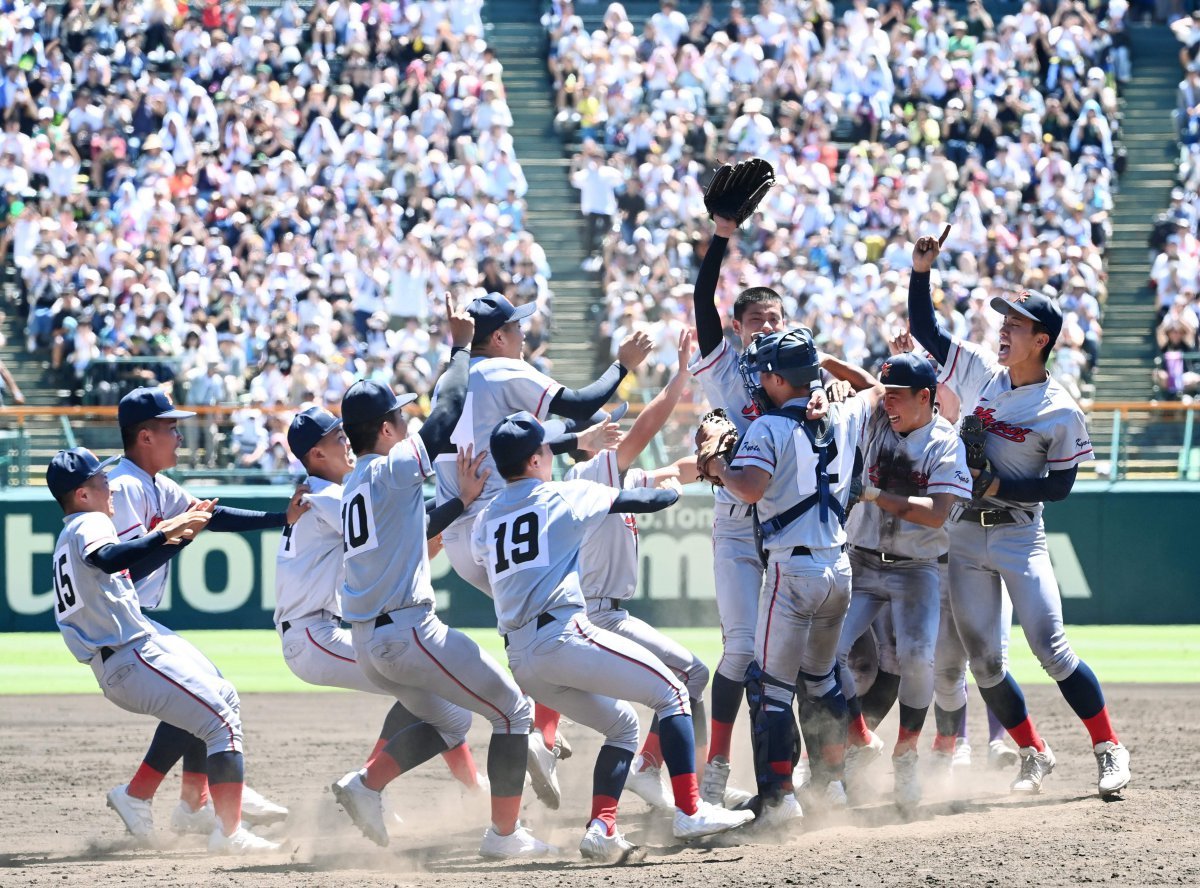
(883, 124)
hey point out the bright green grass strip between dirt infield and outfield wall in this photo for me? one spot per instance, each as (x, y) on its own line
(39, 663)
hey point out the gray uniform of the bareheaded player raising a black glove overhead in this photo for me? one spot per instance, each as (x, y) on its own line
(739, 572)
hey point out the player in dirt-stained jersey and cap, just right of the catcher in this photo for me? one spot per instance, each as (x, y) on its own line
(914, 471)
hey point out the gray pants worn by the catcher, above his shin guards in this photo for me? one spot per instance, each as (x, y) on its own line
(801, 615)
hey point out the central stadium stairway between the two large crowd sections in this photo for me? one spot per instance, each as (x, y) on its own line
(519, 39)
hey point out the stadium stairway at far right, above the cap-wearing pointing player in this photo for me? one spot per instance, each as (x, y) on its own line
(1150, 442)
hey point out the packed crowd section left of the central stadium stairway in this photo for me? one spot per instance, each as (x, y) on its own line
(260, 208)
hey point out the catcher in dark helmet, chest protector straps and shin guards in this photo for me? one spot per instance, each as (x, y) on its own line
(799, 473)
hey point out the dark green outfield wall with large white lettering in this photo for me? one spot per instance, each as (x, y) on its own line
(1125, 554)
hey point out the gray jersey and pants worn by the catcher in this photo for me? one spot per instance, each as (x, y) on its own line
(801, 619)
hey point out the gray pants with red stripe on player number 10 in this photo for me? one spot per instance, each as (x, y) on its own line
(440, 675)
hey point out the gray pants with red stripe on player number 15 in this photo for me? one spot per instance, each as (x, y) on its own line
(148, 679)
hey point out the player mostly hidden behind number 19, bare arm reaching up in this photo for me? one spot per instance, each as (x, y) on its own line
(609, 572)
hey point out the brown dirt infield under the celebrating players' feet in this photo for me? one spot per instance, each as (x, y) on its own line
(59, 755)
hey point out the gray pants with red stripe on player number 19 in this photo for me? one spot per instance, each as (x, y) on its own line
(589, 674)
